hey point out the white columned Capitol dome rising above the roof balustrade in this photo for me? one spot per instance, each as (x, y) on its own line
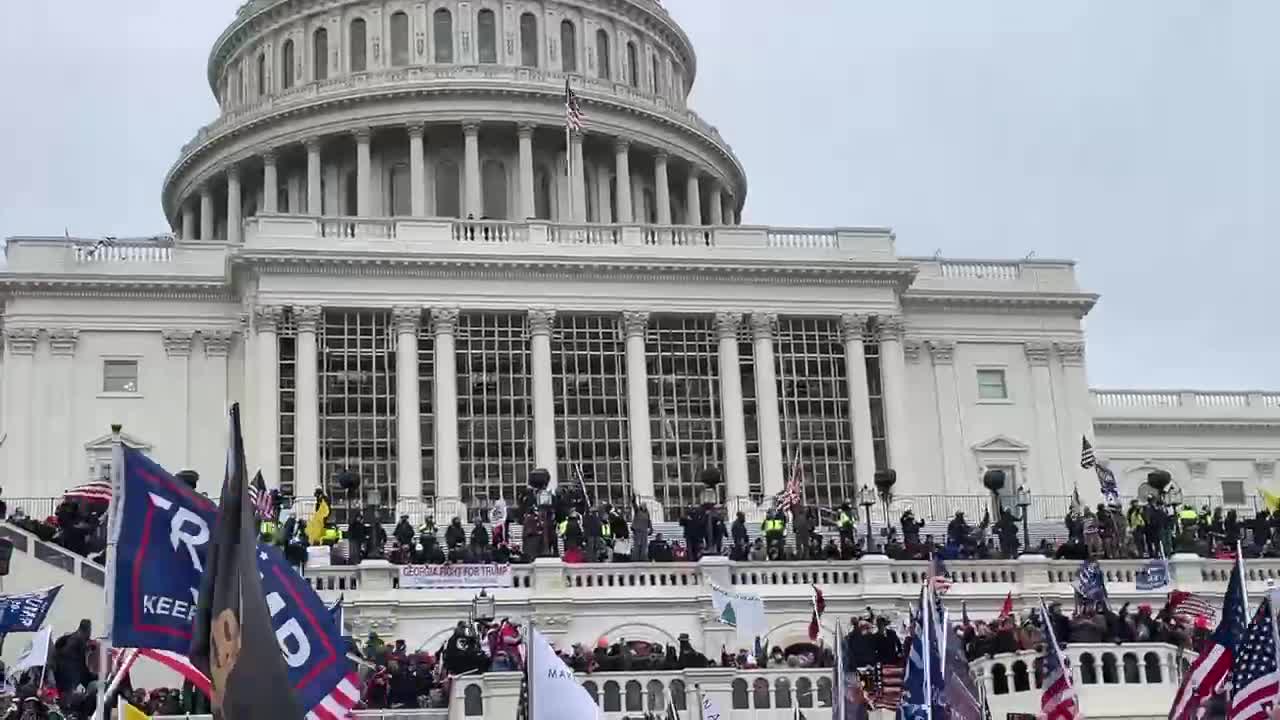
(455, 110)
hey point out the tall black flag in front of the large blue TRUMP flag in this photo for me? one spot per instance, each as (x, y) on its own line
(232, 641)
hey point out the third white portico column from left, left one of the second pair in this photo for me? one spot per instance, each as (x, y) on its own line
(409, 430)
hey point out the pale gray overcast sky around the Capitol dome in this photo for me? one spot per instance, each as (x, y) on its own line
(1130, 136)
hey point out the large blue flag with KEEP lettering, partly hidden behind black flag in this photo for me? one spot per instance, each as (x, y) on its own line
(164, 535)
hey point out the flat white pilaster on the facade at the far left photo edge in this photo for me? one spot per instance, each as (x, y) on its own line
(21, 422)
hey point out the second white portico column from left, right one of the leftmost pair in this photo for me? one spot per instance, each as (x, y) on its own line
(307, 404)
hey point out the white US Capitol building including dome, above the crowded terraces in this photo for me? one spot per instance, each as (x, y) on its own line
(391, 253)
